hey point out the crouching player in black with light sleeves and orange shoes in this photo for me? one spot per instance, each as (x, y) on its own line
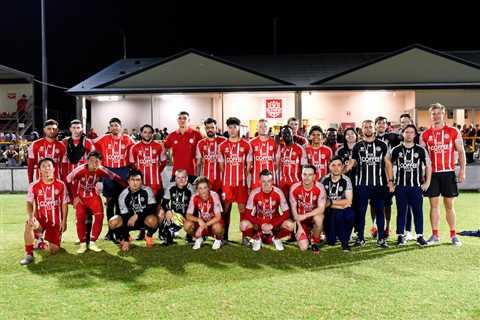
(137, 210)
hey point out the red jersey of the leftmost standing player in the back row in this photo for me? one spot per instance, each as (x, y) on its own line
(40, 149)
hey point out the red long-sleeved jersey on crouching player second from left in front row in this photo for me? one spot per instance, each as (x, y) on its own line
(83, 183)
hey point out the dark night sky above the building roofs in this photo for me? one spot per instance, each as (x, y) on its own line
(83, 36)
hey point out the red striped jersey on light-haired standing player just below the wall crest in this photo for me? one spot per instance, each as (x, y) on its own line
(263, 156)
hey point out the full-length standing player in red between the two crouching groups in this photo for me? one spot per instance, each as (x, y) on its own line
(235, 164)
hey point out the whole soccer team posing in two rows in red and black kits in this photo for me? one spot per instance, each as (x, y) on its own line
(286, 187)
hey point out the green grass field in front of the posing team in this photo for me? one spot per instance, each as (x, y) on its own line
(439, 282)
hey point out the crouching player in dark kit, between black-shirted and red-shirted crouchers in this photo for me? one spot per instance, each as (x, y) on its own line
(174, 206)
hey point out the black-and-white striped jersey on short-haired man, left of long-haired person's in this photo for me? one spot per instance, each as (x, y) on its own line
(370, 158)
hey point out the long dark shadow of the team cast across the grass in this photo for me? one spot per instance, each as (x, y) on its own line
(178, 266)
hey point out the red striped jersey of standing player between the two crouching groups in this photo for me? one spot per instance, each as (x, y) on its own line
(234, 156)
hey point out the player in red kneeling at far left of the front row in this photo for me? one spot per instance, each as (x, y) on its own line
(47, 208)
